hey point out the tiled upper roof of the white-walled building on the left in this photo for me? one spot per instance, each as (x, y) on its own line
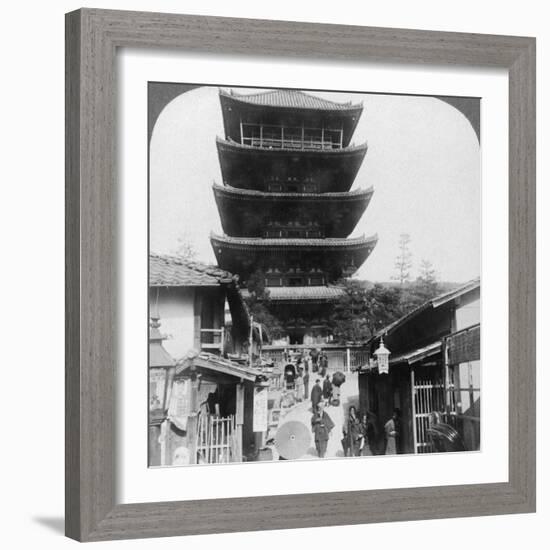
(165, 270)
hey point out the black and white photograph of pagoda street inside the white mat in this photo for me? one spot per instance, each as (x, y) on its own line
(314, 274)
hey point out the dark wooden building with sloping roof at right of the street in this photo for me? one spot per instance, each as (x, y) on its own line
(434, 371)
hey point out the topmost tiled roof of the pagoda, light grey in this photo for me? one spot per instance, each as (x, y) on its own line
(293, 99)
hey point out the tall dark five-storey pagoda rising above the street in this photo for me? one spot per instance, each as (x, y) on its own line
(285, 204)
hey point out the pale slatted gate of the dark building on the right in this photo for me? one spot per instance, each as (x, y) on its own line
(428, 396)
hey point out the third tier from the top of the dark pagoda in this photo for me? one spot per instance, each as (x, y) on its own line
(246, 213)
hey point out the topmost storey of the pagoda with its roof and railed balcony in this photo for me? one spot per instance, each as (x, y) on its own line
(288, 119)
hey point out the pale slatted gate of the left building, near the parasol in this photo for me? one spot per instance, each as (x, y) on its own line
(216, 440)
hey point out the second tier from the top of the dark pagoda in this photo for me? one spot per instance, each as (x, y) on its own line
(249, 167)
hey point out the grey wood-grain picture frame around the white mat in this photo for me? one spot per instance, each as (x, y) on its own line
(92, 39)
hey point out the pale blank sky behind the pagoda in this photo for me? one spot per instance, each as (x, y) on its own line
(423, 161)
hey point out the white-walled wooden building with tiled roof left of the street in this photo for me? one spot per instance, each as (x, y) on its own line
(201, 403)
